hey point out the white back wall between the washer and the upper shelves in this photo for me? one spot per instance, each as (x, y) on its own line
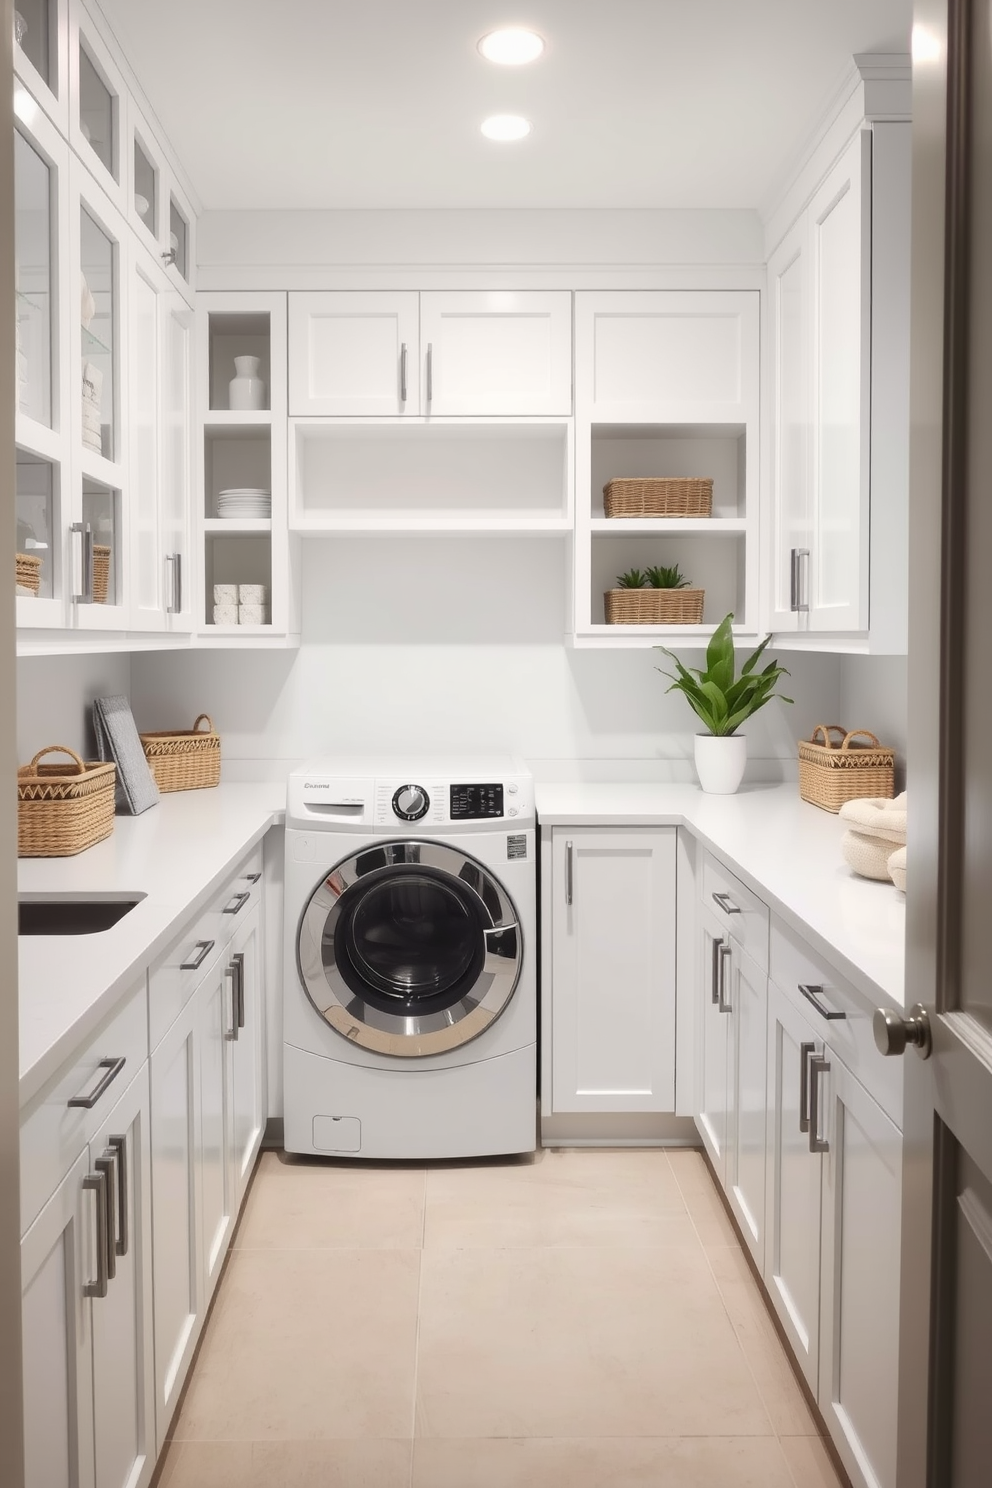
(429, 645)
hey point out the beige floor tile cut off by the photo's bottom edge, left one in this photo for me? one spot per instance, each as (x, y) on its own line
(288, 1465)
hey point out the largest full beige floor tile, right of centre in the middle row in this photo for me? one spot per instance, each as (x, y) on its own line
(579, 1343)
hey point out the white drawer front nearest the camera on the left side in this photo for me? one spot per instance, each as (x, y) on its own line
(54, 1133)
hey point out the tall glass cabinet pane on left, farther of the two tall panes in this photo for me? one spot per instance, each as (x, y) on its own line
(99, 315)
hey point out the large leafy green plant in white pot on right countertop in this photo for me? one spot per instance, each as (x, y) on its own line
(725, 702)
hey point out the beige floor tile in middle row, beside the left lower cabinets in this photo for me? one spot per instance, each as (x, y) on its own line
(309, 1344)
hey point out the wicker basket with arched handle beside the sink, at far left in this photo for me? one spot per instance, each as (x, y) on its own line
(63, 809)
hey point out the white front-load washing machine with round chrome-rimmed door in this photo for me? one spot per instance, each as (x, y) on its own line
(411, 959)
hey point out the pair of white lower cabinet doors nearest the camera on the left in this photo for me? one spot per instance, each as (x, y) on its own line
(87, 1315)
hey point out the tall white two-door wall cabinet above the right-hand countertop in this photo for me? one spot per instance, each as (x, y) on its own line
(840, 400)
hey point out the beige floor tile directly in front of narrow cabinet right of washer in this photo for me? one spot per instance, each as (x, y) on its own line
(566, 1199)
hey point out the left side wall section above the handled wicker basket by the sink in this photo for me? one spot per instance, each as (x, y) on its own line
(56, 696)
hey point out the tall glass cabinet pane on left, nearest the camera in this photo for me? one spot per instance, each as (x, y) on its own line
(33, 270)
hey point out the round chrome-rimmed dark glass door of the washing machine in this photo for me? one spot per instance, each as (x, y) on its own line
(410, 949)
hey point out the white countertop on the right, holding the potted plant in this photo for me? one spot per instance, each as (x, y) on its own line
(783, 849)
